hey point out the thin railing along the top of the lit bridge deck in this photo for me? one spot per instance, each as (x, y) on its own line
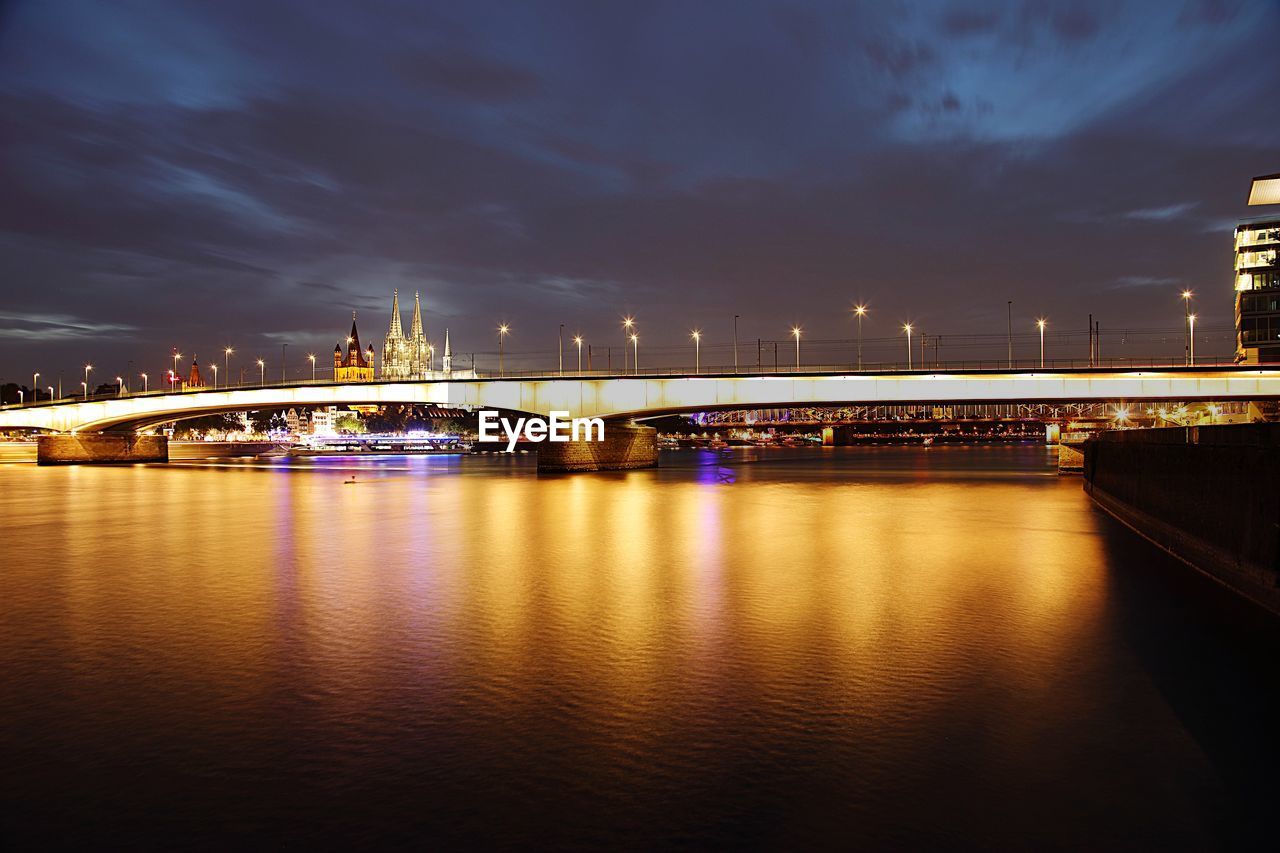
(968, 366)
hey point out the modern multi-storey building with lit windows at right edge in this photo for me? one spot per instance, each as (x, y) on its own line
(1258, 279)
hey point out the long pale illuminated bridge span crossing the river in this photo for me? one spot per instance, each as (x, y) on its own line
(624, 399)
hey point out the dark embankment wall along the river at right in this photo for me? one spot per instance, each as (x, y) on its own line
(1206, 495)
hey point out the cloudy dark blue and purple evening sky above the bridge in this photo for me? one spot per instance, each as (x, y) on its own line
(249, 174)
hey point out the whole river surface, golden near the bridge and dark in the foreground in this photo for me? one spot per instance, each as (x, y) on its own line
(769, 649)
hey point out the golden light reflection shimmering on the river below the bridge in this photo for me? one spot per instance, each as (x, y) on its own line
(870, 610)
